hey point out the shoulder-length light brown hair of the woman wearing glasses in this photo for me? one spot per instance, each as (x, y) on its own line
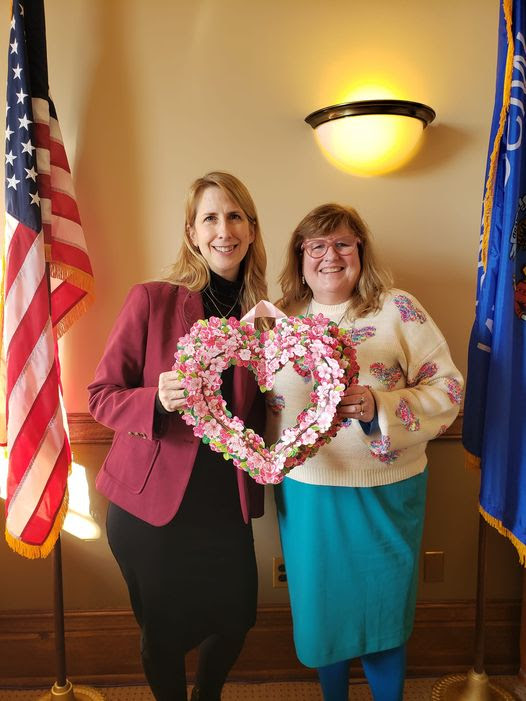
(374, 280)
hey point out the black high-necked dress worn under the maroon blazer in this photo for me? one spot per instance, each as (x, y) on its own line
(196, 576)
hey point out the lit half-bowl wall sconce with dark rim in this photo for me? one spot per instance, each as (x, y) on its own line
(370, 137)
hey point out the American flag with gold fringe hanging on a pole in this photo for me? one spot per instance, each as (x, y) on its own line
(47, 285)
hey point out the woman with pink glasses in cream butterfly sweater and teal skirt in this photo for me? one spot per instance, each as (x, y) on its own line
(351, 517)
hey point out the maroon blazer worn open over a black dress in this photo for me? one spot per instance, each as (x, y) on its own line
(152, 456)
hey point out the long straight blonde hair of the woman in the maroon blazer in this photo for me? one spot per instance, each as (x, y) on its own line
(191, 269)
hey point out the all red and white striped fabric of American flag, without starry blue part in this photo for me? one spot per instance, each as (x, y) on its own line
(40, 303)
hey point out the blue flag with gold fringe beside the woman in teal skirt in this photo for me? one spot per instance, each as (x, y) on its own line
(494, 432)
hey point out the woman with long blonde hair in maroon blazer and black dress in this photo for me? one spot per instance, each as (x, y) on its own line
(179, 519)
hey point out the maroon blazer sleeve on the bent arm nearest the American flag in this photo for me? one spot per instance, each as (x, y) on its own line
(117, 396)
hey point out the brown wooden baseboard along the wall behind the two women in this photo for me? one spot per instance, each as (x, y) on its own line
(102, 647)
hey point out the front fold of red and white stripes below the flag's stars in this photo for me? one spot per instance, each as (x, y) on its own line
(36, 441)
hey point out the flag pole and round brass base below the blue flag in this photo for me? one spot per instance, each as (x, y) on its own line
(475, 685)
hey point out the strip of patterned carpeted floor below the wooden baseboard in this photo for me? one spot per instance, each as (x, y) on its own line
(415, 690)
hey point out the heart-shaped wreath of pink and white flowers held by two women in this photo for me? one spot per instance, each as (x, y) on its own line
(315, 345)
